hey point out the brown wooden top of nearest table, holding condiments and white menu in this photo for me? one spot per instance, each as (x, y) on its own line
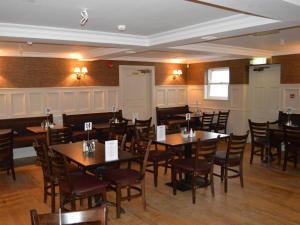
(74, 152)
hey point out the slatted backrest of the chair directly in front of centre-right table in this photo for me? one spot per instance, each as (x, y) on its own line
(206, 150)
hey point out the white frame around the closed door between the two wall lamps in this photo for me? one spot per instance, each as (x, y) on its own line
(152, 86)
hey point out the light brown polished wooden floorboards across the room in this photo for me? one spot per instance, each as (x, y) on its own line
(270, 196)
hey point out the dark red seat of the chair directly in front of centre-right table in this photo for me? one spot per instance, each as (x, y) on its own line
(202, 166)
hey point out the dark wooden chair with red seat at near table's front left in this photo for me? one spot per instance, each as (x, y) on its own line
(76, 186)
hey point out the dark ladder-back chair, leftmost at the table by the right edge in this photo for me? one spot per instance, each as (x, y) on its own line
(259, 139)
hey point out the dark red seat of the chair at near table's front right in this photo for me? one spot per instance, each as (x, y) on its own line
(122, 176)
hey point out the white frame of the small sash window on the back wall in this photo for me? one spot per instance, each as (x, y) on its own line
(207, 84)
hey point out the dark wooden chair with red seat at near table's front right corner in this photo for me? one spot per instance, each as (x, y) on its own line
(129, 178)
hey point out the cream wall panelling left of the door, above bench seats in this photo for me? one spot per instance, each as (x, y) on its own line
(29, 102)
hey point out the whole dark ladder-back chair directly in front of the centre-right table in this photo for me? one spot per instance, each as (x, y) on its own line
(201, 165)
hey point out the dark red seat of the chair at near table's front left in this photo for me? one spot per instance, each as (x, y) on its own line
(84, 183)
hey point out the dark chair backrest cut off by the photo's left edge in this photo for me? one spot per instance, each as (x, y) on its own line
(6, 146)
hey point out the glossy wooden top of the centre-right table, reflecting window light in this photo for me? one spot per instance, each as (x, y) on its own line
(177, 139)
